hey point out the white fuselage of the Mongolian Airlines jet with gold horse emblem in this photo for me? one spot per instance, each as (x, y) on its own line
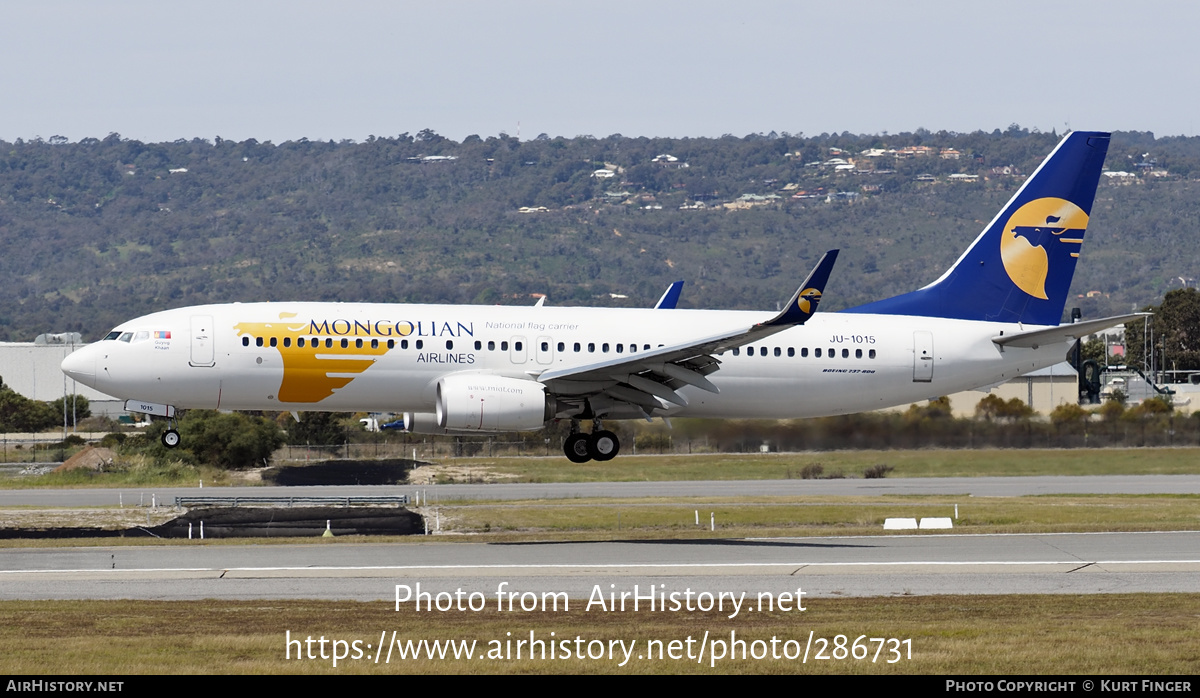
(223, 357)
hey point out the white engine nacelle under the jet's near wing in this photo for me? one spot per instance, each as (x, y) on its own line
(478, 402)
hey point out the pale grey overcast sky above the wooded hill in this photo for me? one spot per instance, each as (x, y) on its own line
(281, 70)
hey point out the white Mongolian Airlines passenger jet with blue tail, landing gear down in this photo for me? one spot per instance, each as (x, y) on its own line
(472, 370)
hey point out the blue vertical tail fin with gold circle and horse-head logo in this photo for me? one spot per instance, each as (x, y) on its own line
(1019, 269)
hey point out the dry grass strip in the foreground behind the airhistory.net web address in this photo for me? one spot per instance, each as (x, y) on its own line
(1100, 635)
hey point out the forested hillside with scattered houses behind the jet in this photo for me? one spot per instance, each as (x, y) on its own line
(100, 231)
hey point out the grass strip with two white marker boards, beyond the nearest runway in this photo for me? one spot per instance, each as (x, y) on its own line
(823, 516)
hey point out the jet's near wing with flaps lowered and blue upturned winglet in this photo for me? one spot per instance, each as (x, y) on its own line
(635, 386)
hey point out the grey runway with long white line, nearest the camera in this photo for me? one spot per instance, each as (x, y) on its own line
(821, 567)
